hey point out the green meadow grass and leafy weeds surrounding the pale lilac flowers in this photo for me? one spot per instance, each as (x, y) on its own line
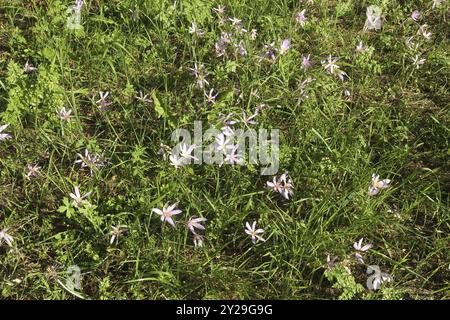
(392, 120)
